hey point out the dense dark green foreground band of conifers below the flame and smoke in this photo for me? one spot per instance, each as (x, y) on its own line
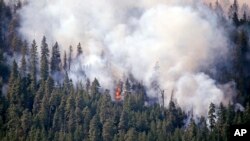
(69, 113)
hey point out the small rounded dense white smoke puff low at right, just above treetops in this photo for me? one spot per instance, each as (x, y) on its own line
(200, 92)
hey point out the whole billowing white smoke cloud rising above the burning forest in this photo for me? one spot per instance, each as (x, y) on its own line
(127, 37)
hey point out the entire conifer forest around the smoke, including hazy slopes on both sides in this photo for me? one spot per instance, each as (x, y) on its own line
(35, 106)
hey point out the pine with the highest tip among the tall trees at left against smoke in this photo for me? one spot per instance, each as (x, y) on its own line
(44, 63)
